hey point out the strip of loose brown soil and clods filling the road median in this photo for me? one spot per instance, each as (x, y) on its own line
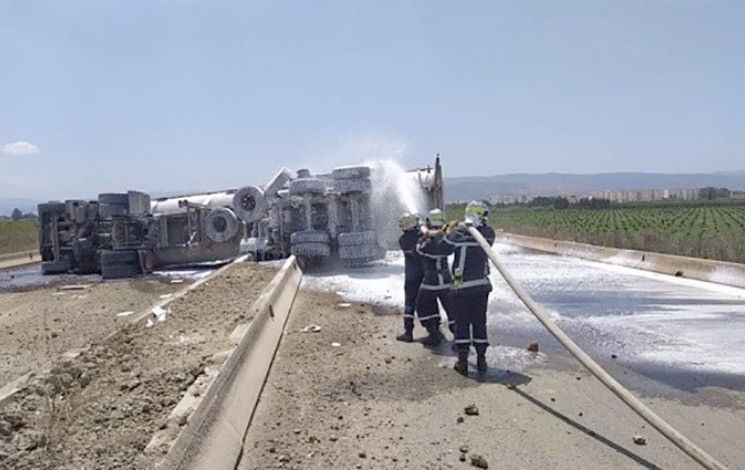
(100, 409)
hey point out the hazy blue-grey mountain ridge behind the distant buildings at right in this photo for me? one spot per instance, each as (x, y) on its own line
(556, 184)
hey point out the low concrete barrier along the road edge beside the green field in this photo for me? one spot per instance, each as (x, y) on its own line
(720, 272)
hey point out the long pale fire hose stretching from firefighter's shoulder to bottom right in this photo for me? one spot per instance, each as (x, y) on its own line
(642, 410)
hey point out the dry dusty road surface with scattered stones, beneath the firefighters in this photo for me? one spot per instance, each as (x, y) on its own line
(373, 402)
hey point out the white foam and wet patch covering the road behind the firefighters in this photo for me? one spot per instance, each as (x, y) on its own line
(651, 317)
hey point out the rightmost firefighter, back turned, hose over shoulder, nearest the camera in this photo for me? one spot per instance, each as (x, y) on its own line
(471, 286)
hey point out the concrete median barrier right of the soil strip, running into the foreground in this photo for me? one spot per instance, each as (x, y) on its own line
(214, 435)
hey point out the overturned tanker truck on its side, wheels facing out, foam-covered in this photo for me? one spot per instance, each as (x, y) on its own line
(315, 217)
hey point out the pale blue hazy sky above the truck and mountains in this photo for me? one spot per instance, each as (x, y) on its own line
(106, 95)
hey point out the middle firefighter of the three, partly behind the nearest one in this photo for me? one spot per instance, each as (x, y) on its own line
(437, 279)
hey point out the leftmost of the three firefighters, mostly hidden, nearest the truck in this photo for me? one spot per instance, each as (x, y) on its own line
(413, 272)
